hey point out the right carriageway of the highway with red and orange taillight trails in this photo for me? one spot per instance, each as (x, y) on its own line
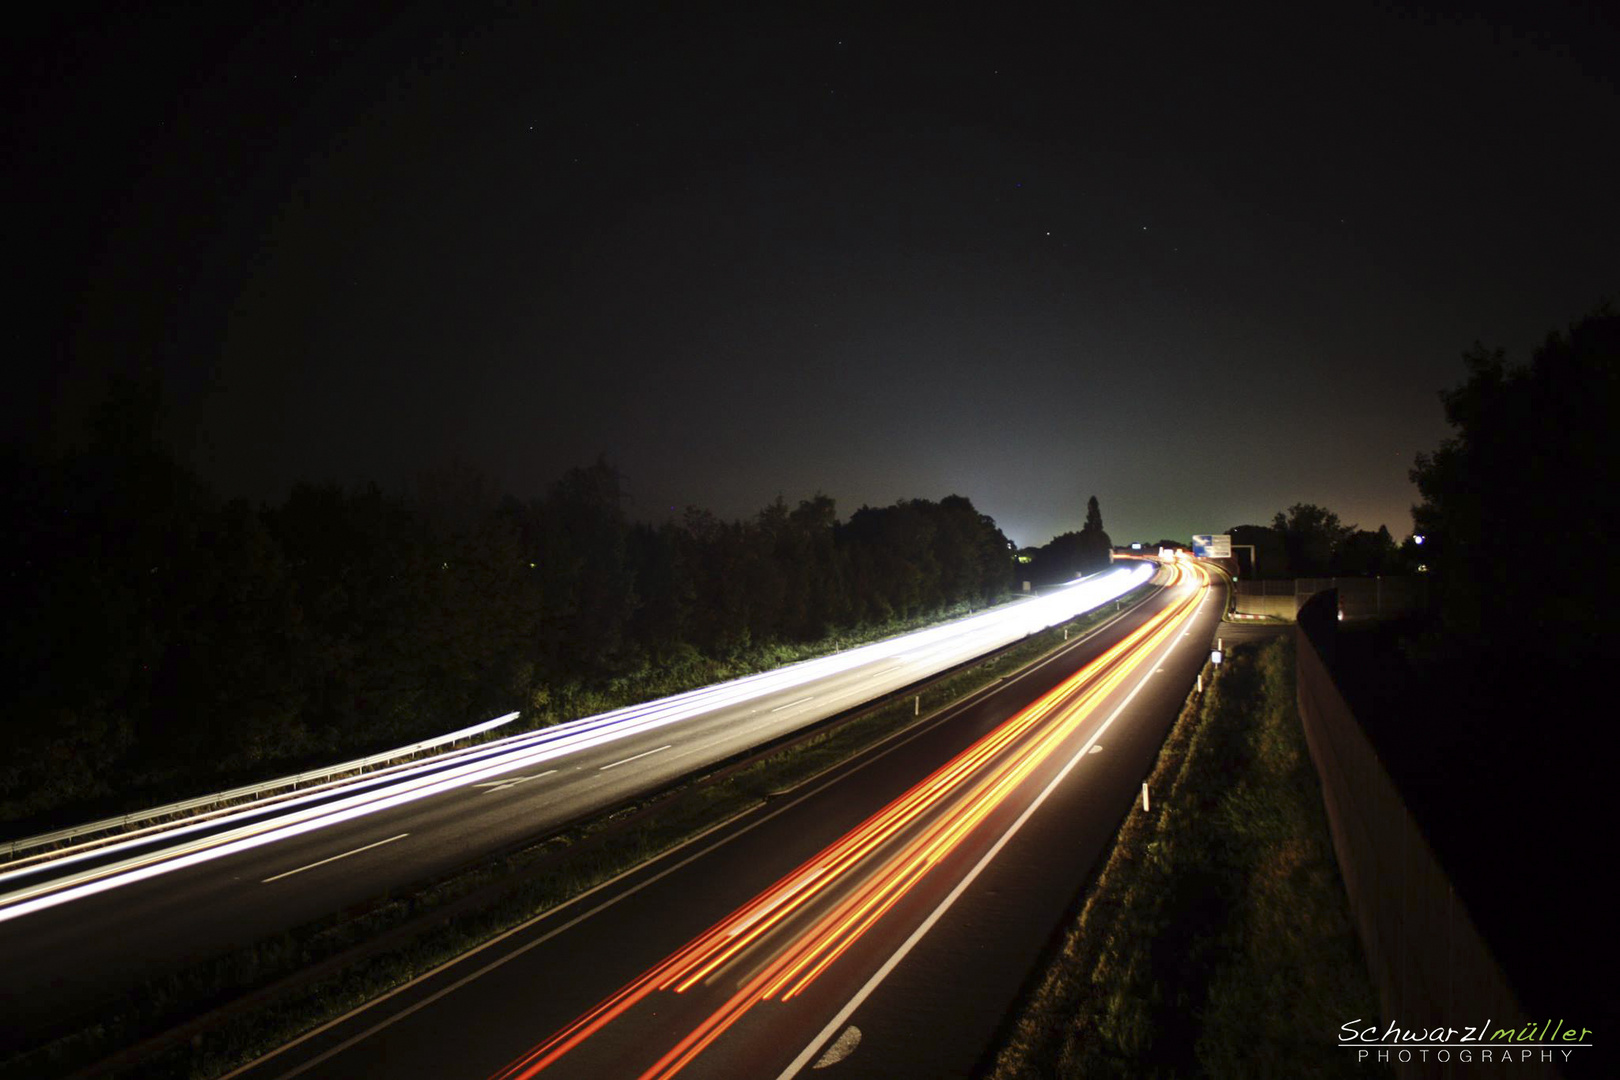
(914, 922)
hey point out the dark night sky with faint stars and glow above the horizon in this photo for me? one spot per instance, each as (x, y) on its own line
(1201, 261)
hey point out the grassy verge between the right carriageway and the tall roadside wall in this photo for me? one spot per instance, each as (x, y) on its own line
(1217, 938)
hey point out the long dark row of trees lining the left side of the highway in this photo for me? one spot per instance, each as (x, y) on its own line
(163, 639)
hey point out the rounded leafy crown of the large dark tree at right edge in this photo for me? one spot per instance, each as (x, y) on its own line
(1532, 466)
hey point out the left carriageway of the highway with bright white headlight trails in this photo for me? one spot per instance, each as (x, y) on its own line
(69, 955)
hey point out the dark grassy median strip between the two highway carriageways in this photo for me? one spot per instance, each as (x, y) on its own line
(294, 982)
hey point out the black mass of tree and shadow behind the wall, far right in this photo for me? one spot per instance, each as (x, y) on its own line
(1494, 712)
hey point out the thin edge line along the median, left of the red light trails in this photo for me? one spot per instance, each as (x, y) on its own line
(903, 736)
